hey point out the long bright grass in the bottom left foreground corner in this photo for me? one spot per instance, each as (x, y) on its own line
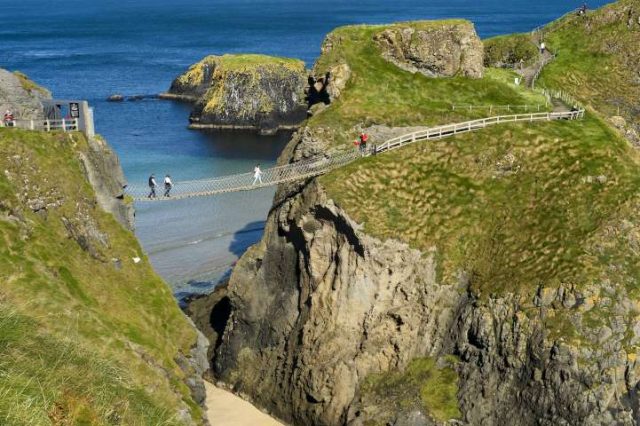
(53, 380)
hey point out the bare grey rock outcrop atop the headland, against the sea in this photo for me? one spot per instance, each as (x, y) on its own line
(434, 49)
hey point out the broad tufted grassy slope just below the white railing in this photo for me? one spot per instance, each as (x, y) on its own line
(515, 204)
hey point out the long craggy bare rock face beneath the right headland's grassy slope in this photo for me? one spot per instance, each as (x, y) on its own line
(323, 317)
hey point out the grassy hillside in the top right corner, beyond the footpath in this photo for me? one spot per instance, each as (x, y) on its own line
(597, 59)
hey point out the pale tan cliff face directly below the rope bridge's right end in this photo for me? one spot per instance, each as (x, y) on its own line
(326, 308)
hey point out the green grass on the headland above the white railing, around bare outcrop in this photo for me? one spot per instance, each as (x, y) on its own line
(378, 92)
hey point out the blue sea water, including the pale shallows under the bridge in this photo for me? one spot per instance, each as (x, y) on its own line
(90, 50)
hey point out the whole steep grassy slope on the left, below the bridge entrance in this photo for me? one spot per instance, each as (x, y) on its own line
(82, 341)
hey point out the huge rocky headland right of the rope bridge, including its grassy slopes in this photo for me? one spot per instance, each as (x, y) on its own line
(489, 278)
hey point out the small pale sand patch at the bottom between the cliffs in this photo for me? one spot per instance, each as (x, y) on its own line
(226, 409)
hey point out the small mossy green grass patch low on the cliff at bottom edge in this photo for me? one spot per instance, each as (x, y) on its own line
(424, 384)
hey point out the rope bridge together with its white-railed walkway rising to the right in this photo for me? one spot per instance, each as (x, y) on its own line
(322, 164)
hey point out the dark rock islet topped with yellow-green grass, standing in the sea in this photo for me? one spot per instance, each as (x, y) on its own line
(244, 92)
